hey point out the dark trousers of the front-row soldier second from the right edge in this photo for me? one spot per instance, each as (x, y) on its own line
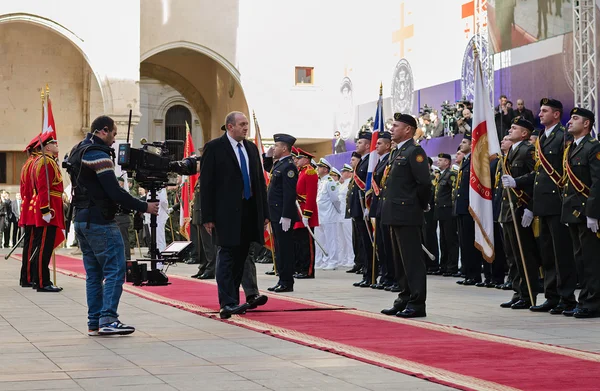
(558, 261)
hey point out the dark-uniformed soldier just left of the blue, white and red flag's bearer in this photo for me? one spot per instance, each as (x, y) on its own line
(357, 207)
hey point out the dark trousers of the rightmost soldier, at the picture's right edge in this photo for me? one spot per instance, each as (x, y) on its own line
(586, 243)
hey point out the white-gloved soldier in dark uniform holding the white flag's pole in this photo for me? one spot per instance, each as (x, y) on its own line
(520, 162)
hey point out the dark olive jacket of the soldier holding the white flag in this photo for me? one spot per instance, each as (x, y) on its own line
(520, 161)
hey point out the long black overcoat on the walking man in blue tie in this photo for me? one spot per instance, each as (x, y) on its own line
(222, 188)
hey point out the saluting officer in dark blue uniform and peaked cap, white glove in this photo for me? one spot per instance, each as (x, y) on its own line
(282, 207)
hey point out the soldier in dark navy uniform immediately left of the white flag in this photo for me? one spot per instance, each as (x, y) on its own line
(470, 257)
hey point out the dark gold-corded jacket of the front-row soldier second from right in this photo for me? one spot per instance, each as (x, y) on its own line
(546, 194)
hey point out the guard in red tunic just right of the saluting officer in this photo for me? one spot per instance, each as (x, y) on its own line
(306, 190)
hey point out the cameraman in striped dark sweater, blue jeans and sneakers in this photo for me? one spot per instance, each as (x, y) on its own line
(96, 195)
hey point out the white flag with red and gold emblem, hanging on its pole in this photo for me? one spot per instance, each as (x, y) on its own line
(483, 145)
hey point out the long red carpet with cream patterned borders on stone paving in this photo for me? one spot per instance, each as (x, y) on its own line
(452, 356)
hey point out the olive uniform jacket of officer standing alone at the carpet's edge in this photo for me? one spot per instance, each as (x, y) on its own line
(407, 189)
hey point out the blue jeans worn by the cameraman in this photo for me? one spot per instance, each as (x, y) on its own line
(104, 260)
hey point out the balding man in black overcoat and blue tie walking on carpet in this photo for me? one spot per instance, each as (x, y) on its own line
(234, 206)
